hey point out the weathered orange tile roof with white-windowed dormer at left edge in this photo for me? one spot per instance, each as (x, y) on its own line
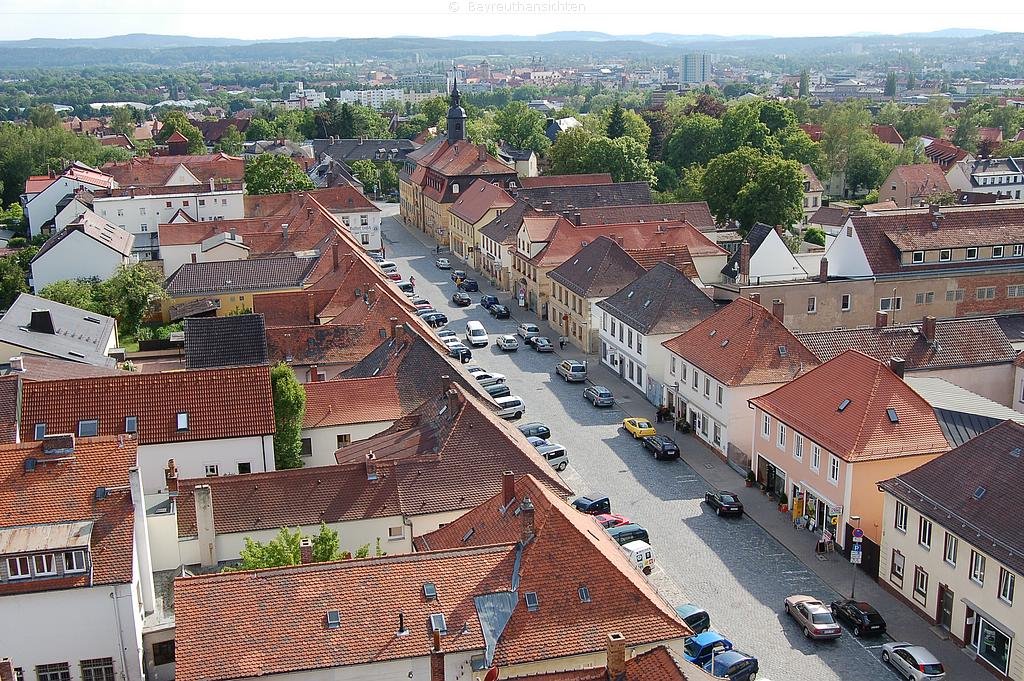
(65, 493)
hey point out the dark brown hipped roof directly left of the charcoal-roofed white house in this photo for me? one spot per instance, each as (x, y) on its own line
(599, 270)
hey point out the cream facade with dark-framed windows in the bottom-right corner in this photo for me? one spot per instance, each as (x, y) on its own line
(955, 577)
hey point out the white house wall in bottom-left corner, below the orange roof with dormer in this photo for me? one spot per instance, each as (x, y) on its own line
(72, 625)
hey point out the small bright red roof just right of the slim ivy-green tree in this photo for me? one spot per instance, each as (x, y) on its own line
(345, 402)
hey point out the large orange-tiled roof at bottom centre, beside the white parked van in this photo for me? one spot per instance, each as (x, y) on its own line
(622, 600)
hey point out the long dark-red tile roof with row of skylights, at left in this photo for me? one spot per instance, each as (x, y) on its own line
(221, 404)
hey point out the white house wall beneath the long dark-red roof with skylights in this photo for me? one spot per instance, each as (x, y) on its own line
(193, 457)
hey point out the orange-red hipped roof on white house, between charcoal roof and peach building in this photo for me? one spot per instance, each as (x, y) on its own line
(741, 346)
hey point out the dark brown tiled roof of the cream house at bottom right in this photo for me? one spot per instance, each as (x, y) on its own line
(975, 491)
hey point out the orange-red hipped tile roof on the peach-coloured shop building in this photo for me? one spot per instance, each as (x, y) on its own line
(866, 391)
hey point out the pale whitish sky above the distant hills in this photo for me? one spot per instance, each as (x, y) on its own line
(381, 19)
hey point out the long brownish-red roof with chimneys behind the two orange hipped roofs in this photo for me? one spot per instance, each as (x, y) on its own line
(958, 344)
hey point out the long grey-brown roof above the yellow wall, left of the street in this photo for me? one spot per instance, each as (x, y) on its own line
(251, 275)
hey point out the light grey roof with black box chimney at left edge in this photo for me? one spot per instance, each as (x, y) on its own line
(71, 334)
